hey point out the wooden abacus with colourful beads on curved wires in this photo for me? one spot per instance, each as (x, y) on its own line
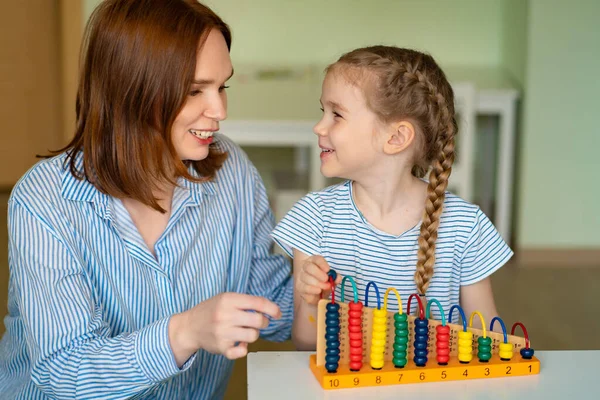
(361, 346)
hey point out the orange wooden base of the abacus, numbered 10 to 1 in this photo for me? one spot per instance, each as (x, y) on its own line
(432, 372)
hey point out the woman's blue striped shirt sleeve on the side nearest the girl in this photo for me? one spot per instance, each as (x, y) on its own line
(270, 275)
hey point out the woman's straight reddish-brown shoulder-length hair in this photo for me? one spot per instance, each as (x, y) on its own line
(138, 63)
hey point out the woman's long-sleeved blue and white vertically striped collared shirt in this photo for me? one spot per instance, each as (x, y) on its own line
(89, 305)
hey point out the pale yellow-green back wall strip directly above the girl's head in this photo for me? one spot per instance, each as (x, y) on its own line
(464, 32)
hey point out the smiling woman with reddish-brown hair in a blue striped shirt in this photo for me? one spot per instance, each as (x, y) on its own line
(140, 253)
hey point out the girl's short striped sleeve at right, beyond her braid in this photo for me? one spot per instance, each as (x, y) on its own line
(485, 251)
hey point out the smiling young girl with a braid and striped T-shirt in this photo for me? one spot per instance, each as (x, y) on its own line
(388, 117)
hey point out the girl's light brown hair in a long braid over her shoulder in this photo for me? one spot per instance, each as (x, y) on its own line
(403, 84)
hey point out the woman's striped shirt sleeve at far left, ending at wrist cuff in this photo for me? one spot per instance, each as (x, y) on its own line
(70, 347)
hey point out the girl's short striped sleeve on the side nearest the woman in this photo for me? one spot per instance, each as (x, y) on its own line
(302, 227)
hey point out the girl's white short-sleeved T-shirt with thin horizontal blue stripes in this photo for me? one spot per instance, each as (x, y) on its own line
(329, 224)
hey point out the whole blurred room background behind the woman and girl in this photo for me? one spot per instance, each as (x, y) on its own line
(525, 74)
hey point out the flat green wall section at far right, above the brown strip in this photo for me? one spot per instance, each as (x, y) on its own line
(559, 191)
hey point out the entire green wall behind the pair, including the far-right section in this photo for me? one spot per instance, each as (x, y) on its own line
(548, 48)
